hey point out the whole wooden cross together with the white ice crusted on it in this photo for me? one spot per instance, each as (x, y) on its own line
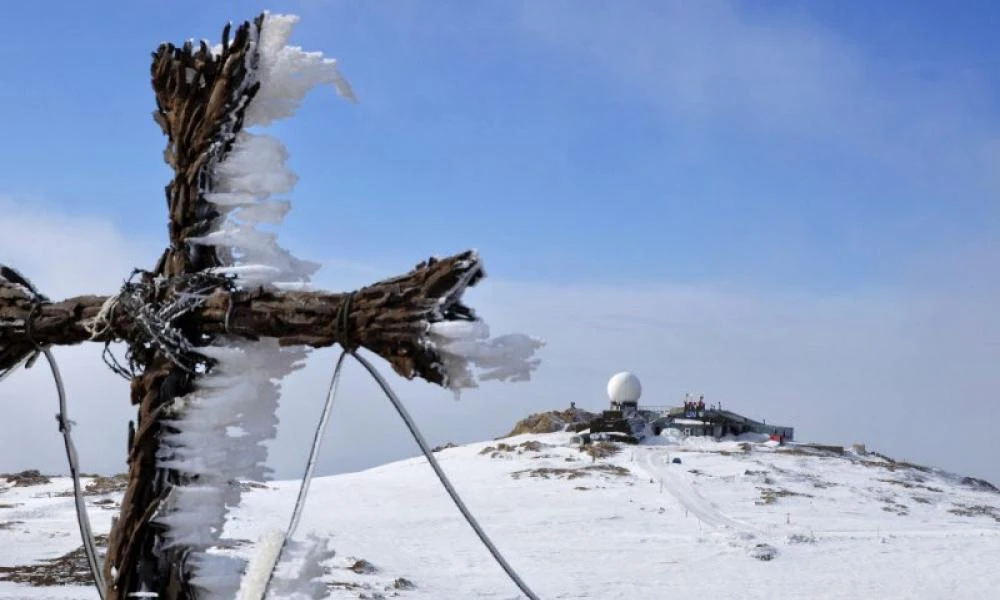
(217, 292)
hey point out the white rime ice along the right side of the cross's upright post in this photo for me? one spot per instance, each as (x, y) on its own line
(219, 430)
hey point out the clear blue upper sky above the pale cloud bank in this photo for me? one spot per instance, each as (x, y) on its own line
(823, 144)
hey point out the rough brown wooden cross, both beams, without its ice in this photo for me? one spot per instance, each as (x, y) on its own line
(201, 96)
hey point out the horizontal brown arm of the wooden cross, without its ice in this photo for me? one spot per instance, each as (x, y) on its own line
(390, 318)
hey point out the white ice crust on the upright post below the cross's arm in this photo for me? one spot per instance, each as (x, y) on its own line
(218, 437)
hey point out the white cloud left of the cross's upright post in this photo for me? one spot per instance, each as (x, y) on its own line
(66, 256)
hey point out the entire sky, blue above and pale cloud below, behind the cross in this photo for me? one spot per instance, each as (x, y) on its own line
(788, 206)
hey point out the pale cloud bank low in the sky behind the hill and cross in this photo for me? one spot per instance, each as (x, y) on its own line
(909, 370)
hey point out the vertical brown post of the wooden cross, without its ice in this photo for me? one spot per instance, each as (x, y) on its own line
(201, 98)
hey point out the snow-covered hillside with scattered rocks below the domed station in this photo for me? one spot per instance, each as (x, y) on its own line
(731, 520)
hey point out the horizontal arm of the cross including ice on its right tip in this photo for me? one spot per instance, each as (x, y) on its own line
(417, 321)
